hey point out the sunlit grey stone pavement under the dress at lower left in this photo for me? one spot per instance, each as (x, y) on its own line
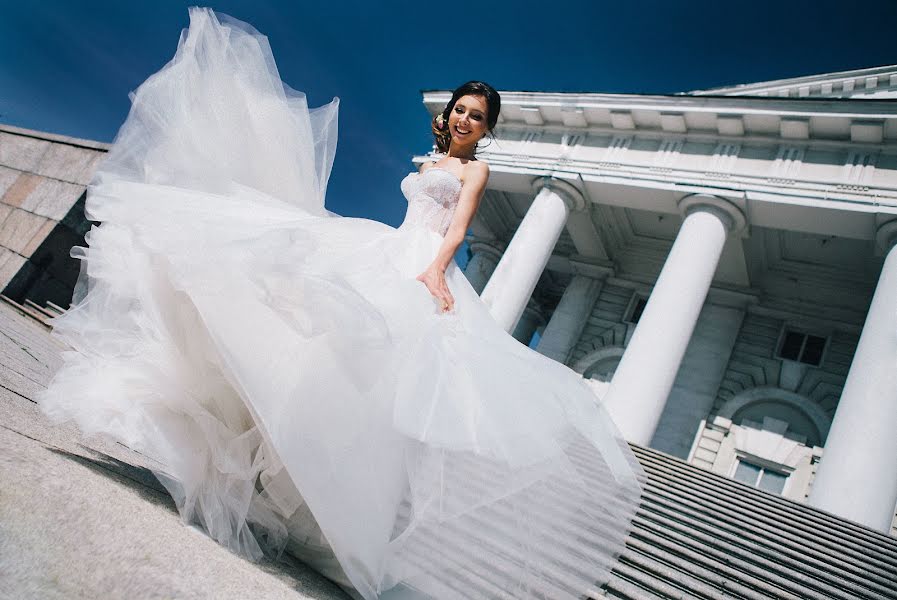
(87, 519)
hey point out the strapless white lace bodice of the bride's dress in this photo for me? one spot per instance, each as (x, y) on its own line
(432, 197)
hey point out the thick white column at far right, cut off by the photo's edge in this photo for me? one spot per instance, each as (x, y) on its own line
(857, 477)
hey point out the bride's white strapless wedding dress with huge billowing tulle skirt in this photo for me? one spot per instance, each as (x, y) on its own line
(299, 385)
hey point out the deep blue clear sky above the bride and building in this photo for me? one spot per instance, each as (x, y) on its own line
(67, 66)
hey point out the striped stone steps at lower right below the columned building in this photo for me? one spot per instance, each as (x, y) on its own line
(701, 535)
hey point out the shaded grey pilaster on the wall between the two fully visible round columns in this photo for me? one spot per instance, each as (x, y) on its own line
(569, 318)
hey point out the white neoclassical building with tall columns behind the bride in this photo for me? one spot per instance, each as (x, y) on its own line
(719, 264)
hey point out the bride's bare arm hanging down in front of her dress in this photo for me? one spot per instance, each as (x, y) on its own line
(476, 176)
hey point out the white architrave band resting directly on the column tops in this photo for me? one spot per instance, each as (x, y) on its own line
(824, 207)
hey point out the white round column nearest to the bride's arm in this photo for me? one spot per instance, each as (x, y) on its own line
(512, 284)
